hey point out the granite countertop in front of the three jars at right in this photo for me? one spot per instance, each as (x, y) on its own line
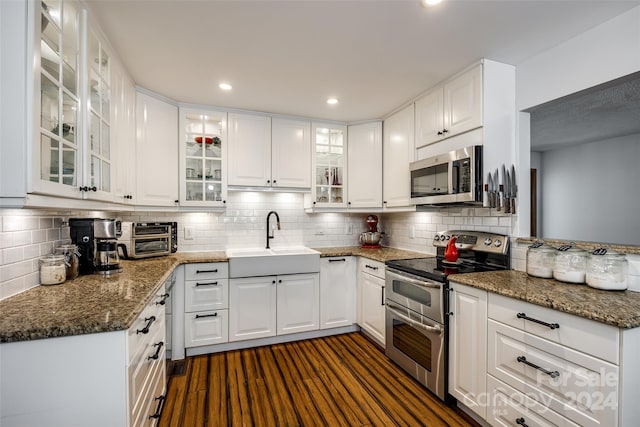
(617, 308)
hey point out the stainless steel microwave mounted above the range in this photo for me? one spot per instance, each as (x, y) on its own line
(453, 177)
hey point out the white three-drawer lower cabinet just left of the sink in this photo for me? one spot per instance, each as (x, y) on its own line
(206, 303)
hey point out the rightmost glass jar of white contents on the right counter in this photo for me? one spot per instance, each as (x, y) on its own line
(607, 270)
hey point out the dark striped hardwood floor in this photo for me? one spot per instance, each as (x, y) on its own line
(342, 380)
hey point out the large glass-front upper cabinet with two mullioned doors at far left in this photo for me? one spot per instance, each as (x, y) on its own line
(72, 155)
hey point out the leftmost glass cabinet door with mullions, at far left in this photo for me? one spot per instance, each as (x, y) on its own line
(59, 96)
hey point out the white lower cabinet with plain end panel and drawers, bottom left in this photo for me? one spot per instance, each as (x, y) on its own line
(100, 380)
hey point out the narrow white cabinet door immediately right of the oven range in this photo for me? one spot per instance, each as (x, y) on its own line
(468, 347)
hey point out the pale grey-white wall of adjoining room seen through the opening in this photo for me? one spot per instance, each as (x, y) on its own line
(591, 192)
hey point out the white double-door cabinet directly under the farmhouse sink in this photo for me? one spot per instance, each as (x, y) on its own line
(273, 305)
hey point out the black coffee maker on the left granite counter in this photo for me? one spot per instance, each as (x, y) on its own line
(97, 243)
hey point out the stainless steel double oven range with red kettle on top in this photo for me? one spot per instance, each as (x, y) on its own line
(417, 302)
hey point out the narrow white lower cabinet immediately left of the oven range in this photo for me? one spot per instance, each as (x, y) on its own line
(371, 314)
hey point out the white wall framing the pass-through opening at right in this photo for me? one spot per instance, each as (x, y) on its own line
(606, 52)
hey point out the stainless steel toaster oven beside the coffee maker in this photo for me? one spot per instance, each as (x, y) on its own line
(148, 239)
